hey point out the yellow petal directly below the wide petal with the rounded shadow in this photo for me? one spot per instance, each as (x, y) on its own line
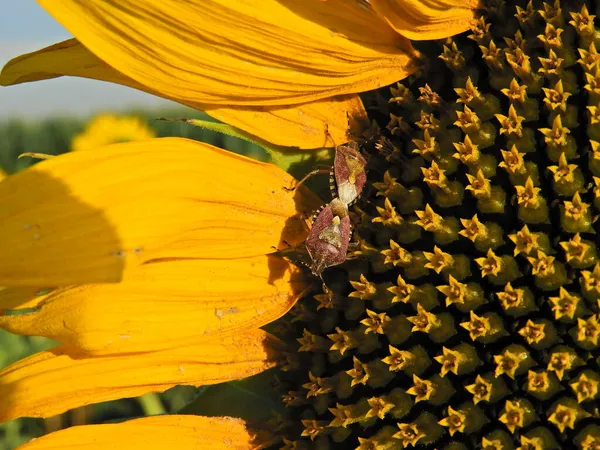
(164, 303)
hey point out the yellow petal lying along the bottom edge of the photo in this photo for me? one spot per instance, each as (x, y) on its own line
(154, 433)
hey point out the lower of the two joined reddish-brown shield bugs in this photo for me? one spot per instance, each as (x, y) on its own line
(328, 239)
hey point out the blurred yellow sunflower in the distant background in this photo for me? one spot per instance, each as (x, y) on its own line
(107, 129)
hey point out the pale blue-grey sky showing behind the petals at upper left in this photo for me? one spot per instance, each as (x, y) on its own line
(25, 27)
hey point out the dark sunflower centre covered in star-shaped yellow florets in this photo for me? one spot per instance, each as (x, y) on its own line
(470, 318)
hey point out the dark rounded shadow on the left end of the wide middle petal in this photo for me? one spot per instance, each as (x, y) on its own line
(43, 243)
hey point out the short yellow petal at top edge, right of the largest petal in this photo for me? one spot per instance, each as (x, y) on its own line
(427, 19)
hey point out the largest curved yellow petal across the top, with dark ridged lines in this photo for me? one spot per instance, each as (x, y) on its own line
(241, 52)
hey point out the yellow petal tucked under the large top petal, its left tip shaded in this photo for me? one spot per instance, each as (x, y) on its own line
(304, 126)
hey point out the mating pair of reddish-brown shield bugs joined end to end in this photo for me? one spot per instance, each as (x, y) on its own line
(329, 237)
